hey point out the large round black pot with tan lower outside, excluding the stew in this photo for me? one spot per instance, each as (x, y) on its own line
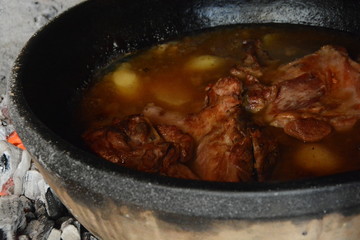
(117, 203)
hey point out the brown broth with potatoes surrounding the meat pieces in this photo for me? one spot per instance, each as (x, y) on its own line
(165, 75)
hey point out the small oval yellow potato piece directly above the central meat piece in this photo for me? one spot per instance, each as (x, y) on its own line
(204, 62)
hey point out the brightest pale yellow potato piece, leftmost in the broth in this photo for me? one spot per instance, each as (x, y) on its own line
(126, 81)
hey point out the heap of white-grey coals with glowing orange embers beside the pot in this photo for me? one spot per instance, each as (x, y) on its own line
(28, 207)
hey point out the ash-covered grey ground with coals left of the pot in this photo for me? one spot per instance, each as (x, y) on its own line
(28, 207)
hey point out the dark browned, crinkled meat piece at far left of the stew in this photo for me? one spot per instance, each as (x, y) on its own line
(136, 144)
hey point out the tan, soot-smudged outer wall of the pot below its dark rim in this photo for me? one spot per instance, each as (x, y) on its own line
(114, 221)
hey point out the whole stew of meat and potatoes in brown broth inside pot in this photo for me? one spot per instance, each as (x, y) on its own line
(250, 103)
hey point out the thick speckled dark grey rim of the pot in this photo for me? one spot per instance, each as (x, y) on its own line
(164, 194)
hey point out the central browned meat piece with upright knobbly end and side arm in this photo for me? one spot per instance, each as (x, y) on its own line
(226, 145)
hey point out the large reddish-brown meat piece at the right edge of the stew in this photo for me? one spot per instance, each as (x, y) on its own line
(310, 96)
